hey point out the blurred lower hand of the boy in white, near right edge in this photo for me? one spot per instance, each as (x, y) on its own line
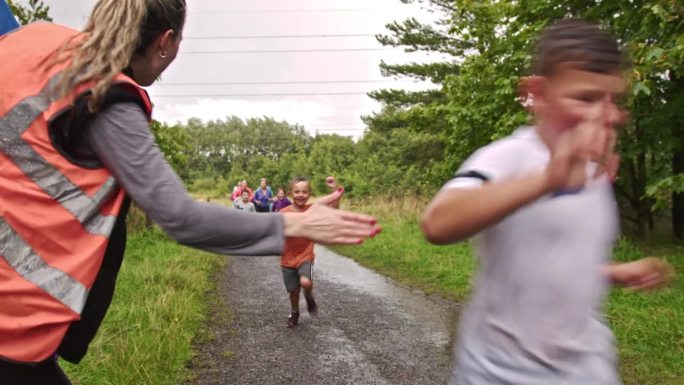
(643, 274)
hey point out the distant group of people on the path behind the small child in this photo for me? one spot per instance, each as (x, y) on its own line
(262, 200)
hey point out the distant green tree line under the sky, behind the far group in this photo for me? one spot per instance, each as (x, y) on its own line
(212, 156)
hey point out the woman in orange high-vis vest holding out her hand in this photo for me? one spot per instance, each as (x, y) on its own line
(75, 149)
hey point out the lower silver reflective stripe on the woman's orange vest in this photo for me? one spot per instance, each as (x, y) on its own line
(31, 267)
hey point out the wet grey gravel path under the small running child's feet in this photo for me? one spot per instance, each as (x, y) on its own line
(369, 330)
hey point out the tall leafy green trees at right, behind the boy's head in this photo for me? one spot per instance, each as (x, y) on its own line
(489, 44)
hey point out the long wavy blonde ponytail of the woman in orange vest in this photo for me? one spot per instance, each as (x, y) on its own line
(112, 36)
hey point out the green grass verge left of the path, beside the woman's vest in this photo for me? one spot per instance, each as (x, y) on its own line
(159, 306)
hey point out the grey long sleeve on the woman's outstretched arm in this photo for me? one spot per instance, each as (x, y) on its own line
(121, 139)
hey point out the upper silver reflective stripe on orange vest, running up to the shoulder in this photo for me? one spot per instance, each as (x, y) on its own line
(45, 175)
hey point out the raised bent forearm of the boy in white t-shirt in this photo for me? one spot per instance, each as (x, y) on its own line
(455, 214)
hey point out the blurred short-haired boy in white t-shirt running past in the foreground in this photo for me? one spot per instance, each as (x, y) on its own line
(542, 204)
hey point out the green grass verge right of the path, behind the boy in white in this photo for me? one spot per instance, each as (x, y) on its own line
(649, 327)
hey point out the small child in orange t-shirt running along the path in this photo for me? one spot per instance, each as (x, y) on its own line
(298, 255)
